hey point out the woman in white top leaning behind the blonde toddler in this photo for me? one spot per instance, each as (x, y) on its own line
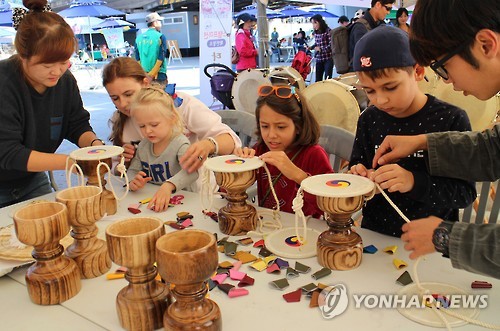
(123, 77)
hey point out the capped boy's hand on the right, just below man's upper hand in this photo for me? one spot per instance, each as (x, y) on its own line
(393, 178)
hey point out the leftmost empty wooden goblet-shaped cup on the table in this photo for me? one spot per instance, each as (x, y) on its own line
(53, 278)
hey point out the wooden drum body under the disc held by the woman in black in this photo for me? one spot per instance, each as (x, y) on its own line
(89, 168)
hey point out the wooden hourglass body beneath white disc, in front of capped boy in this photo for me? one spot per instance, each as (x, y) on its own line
(339, 247)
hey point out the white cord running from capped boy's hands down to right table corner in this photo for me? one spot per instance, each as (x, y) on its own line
(423, 290)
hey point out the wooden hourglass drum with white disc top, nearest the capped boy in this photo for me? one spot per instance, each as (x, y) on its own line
(339, 196)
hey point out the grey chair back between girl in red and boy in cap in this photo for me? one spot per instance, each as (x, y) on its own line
(338, 143)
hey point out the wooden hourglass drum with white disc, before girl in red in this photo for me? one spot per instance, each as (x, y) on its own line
(235, 175)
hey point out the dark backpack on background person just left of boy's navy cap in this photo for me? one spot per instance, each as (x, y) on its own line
(340, 46)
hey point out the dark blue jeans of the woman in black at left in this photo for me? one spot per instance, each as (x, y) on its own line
(37, 186)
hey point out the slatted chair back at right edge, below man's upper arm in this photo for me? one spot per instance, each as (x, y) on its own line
(487, 202)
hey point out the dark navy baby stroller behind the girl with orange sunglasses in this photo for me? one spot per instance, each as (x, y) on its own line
(221, 83)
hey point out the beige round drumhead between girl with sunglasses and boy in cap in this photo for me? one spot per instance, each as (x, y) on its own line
(332, 103)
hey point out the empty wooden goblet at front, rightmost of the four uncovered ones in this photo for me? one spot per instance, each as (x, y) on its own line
(187, 259)
